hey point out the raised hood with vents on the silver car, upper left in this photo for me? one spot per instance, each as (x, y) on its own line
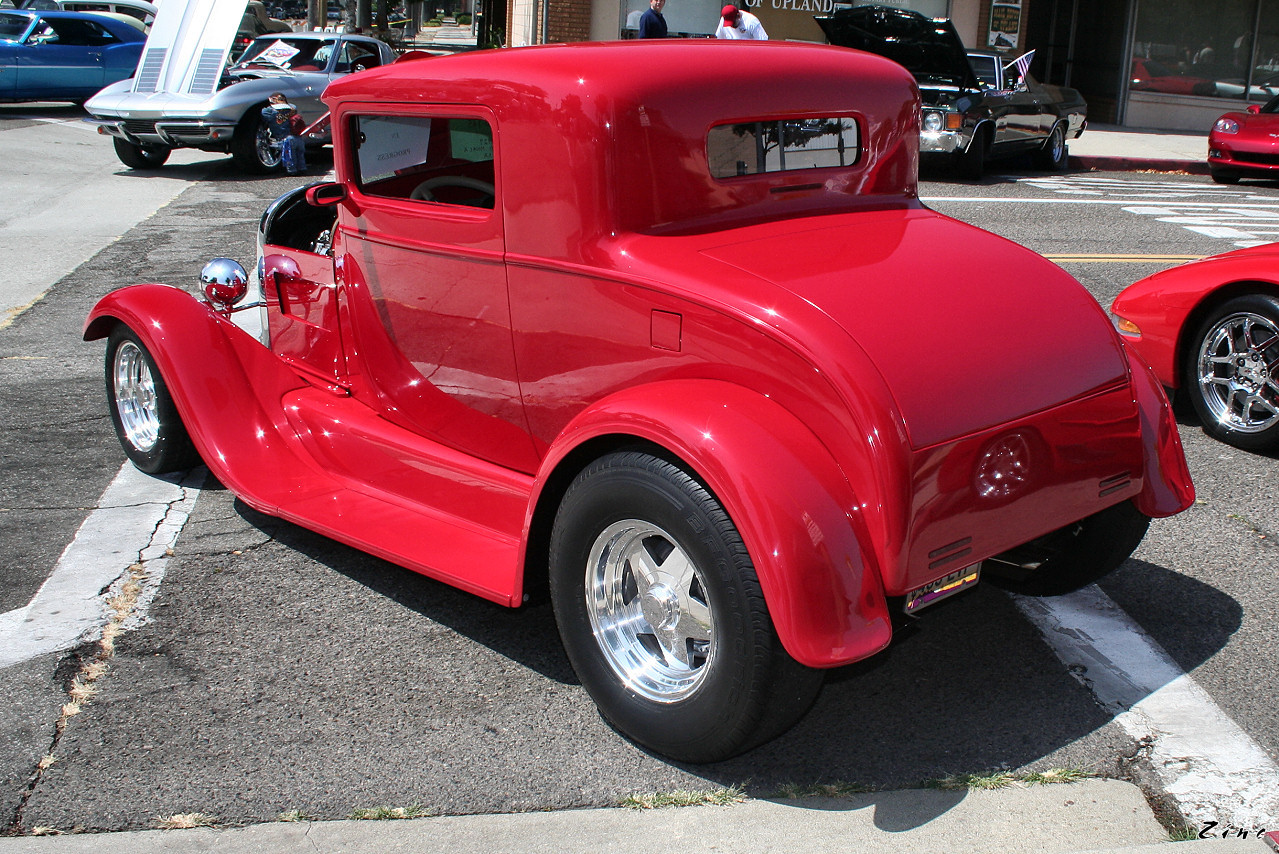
(187, 47)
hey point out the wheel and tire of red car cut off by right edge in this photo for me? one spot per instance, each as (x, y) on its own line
(1232, 373)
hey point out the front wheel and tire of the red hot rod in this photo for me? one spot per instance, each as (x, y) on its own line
(143, 411)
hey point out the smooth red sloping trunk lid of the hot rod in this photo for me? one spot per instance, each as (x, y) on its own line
(977, 336)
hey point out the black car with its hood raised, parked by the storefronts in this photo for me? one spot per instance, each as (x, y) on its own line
(975, 107)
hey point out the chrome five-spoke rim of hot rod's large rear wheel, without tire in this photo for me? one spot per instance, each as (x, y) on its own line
(650, 612)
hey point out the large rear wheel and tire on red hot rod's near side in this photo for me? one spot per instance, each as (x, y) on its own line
(663, 617)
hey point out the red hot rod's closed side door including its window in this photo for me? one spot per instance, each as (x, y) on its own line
(423, 277)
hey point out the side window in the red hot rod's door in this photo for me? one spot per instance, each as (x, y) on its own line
(434, 160)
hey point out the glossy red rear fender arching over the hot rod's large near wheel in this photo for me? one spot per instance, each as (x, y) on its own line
(797, 515)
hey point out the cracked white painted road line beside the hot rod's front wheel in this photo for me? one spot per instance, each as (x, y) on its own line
(137, 520)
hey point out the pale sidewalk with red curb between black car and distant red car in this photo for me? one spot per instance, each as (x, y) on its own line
(1107, 148)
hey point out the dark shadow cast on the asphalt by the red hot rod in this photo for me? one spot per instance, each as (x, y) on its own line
(974, 688)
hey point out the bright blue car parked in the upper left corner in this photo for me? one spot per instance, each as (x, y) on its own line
(63, 56)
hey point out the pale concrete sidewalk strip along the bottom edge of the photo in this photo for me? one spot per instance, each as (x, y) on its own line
(1095, 816)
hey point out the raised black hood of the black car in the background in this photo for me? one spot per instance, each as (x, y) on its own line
(929, 48)
